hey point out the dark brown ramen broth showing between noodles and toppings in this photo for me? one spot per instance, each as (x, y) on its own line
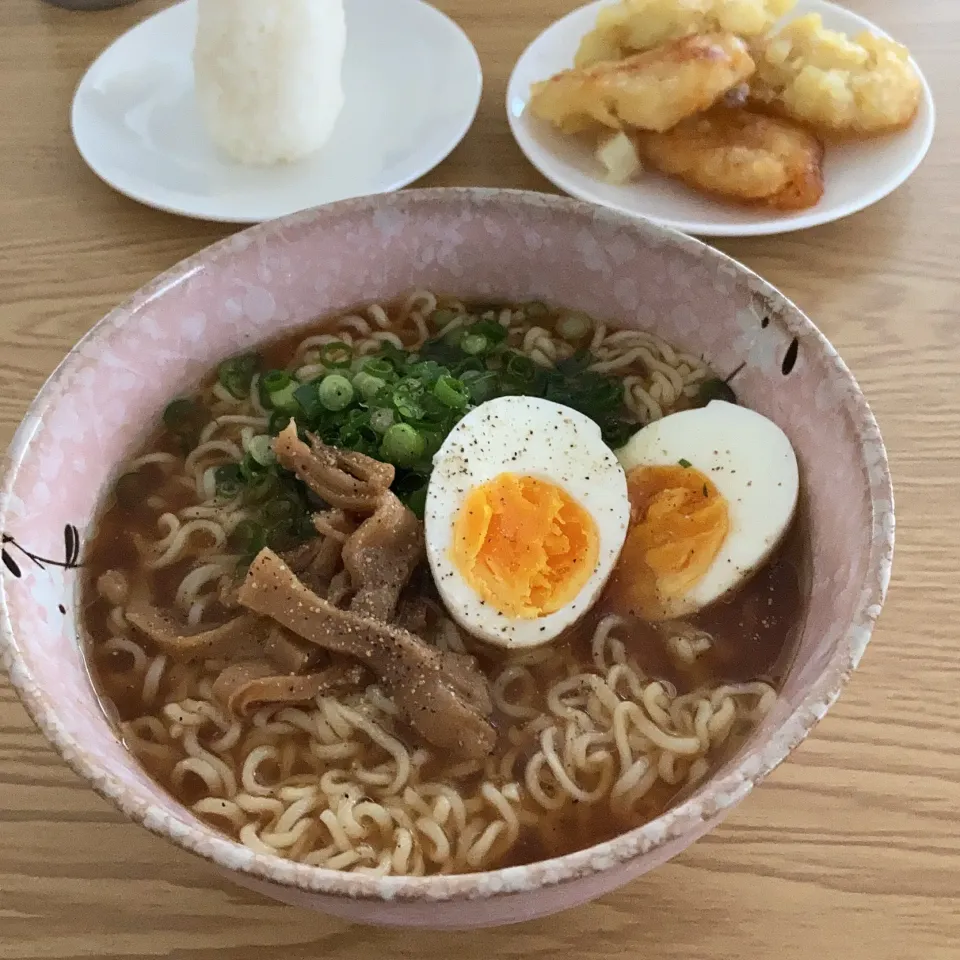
(754, 631)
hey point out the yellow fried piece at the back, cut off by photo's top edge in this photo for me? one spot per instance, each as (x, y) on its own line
(633, 26)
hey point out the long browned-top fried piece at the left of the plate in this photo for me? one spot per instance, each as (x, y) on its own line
(649, 91)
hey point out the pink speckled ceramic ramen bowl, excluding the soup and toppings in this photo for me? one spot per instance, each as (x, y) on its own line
(474, 243)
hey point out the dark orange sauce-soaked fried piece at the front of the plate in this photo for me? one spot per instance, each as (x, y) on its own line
(741, 156)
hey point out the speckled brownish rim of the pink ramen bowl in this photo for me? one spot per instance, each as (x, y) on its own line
(708, 802)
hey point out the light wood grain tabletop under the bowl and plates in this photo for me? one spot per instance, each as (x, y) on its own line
(851, 850)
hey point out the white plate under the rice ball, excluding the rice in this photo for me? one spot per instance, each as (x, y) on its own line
(412, 84)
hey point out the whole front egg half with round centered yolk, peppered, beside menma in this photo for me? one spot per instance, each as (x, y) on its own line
(526, 513)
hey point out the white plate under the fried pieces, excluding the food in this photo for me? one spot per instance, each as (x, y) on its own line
(856, 175)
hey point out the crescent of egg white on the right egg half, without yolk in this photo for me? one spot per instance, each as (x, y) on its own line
(751, 462)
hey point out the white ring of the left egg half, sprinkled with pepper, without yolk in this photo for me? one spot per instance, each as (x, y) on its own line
(527, 436)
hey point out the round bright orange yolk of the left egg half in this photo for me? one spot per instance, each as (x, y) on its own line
(525, 545)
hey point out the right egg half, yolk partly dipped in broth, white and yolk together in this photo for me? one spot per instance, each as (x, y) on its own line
(712, 492)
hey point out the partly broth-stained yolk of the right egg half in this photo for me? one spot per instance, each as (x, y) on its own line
(678, 522)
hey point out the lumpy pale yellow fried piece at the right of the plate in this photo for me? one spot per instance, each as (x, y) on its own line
(840, 87)
